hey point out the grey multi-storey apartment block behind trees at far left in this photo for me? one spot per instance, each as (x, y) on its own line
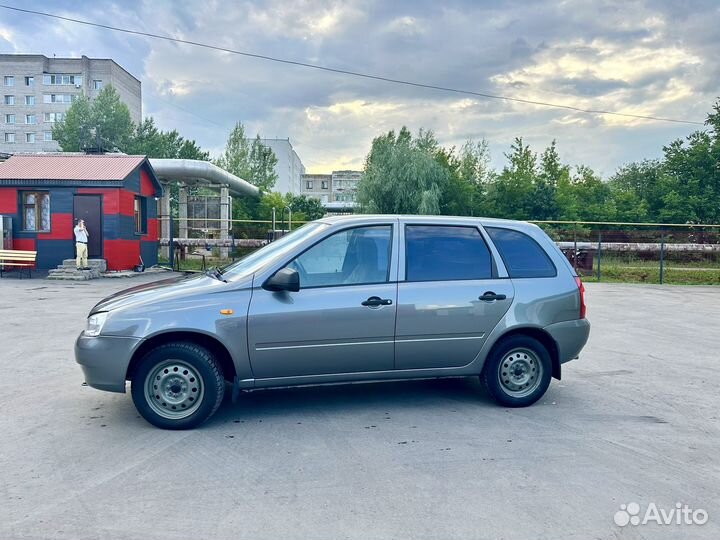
(37, 92)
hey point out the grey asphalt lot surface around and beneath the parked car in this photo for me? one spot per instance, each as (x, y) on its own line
(634, 420)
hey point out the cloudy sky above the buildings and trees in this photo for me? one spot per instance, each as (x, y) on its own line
(655, 58)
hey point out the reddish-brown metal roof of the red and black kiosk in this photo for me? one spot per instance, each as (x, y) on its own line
(69, 167)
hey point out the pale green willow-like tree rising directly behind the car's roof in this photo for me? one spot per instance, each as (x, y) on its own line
(402, 175)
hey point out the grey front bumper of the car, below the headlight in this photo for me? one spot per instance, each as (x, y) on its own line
(105, 360)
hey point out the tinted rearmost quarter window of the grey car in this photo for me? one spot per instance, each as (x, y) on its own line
(523, 256)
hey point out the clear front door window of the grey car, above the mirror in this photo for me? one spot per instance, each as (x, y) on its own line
(350, 257)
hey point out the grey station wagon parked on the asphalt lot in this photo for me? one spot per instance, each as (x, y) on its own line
(345, 299)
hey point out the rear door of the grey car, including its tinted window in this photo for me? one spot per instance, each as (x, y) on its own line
(449, 298)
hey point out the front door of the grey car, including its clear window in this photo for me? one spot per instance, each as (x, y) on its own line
(341, 320)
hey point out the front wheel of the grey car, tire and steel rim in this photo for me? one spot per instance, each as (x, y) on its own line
(198, 381)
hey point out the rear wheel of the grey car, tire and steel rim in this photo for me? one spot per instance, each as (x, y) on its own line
(518, 371)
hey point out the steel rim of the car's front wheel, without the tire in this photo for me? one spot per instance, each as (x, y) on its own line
(174, 389)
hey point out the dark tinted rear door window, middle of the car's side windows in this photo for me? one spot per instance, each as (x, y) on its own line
(444, 253)
